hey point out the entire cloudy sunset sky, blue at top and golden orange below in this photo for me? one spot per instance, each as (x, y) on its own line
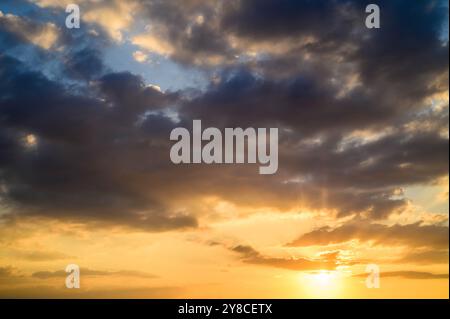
(86, 177)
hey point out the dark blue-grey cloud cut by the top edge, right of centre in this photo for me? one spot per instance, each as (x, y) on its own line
(287, 18)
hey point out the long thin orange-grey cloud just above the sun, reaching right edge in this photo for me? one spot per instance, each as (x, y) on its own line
(411, 235)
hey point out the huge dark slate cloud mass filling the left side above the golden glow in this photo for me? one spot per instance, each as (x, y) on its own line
(80, 165)
